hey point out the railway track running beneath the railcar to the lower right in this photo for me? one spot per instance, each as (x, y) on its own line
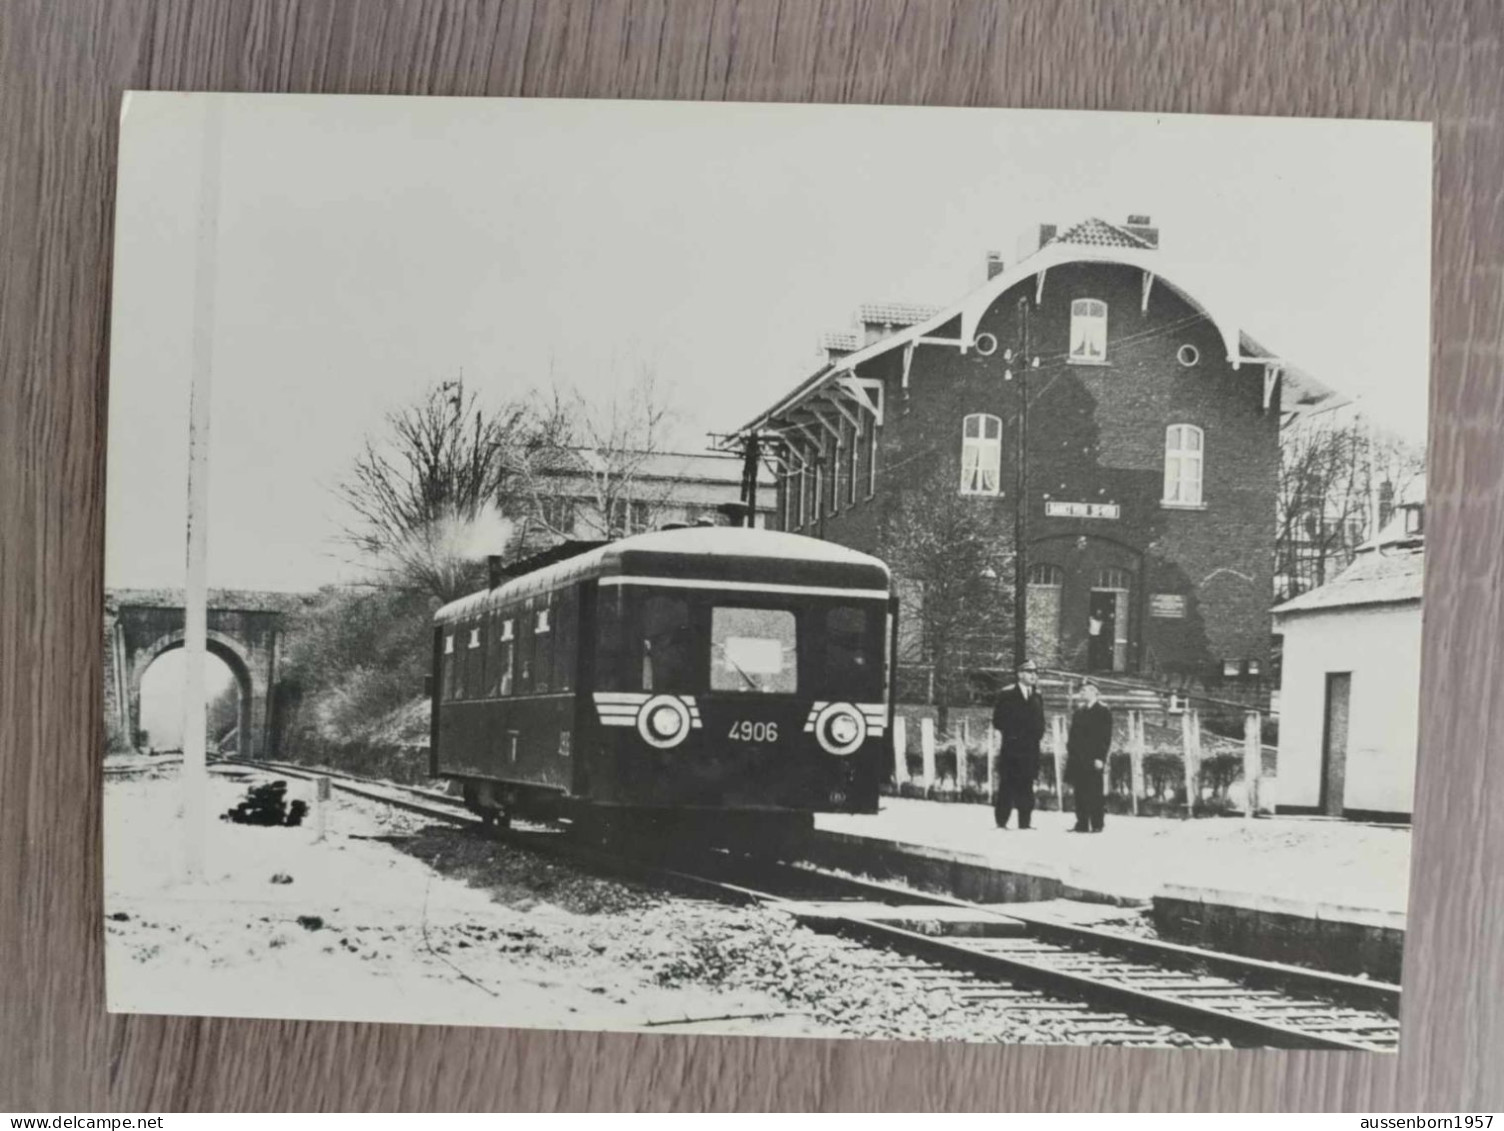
(1111, 984)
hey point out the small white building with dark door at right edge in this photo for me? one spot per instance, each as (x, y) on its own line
(1350, 691)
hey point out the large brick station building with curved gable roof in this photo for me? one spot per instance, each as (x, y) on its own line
(1151, 452)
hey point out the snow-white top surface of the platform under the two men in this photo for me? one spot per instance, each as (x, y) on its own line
(1317, 861)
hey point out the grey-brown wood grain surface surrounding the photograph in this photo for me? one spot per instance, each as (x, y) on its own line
(65, 64)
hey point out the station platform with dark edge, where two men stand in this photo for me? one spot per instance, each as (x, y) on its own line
(1315, 891)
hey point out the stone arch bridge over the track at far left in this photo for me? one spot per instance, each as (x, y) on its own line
(246, 631)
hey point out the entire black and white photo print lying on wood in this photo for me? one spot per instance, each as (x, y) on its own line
(766, 571)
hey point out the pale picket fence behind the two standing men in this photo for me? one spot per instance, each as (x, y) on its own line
(1163, 763)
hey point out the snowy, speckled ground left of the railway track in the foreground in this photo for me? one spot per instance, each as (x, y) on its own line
(398, 920)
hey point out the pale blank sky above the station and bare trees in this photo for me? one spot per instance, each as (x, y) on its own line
(366, 247)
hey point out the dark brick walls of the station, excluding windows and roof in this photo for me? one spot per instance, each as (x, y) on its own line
(1099, 435)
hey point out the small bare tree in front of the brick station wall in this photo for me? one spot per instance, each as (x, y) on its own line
(953, 559)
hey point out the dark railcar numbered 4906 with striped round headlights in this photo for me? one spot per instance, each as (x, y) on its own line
(721, 678)
